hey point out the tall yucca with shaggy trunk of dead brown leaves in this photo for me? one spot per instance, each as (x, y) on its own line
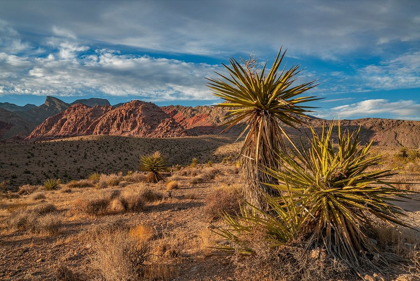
(264, 102)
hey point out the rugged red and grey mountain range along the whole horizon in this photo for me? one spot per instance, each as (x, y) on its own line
(57, 119)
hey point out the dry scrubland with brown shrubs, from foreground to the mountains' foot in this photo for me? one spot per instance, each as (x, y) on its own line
(106, 222)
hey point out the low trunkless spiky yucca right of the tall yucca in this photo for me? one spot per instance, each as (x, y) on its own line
(339, 192)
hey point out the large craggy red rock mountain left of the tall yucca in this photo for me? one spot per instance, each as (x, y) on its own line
(135, 118)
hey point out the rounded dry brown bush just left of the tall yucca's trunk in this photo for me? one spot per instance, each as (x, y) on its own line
(224, 200)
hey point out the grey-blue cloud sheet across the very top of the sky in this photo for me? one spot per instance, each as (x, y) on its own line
(318, 28)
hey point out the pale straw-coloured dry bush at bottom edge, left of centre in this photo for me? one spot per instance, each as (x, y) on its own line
(118, 256)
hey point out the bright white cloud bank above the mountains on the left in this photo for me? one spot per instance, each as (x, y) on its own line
(69, 72)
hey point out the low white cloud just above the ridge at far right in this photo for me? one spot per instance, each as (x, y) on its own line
(403, 109)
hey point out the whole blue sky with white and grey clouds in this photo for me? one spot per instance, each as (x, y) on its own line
(365, 55)
